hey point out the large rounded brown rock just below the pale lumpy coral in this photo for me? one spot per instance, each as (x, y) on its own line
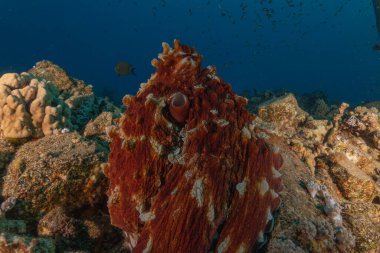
(63, 169)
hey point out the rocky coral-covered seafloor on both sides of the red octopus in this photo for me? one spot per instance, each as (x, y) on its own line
(54, 146)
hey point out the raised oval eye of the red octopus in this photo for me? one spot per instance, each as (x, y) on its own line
(179, 107)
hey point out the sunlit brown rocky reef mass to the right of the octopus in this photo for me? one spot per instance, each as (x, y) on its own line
(344, 159)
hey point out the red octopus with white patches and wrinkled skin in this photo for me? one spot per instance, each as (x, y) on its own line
(188, 169)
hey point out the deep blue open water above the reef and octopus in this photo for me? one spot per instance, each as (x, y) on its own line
(301, 46)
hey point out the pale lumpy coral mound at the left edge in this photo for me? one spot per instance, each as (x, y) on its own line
(30, 107)
